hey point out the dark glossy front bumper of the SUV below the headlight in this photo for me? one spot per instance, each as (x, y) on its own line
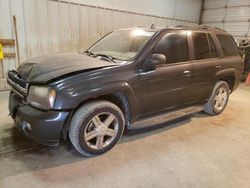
(42, 126)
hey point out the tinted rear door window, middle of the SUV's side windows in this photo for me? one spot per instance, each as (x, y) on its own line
(201, 47)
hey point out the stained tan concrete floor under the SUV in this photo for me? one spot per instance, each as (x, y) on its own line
(199, 151)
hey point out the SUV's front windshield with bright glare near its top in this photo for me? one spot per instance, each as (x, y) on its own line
(123, 44)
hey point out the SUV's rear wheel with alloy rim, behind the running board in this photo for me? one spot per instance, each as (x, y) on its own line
(212, 106)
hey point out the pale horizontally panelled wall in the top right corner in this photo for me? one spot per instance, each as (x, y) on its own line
(230, 15)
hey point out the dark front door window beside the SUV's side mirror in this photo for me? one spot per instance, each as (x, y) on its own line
(174, 46)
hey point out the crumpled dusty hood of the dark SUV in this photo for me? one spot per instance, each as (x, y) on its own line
(45, 68)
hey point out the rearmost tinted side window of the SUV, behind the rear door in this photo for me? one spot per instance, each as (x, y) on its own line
(228, 45)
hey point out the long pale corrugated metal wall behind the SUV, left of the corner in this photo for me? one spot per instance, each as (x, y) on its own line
(50, 26)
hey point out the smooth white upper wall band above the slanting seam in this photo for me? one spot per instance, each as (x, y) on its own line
(180, 9)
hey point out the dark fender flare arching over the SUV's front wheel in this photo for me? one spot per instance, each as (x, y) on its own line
(80, 95)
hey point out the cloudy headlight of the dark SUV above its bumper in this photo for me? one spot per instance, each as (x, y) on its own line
(41, 97)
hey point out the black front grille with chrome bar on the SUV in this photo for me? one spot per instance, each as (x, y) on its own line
(18, 84)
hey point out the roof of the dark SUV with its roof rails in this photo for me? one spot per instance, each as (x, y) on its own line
(202, 28)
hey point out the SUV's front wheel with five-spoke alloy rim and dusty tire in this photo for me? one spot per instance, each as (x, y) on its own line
(96, 127)
